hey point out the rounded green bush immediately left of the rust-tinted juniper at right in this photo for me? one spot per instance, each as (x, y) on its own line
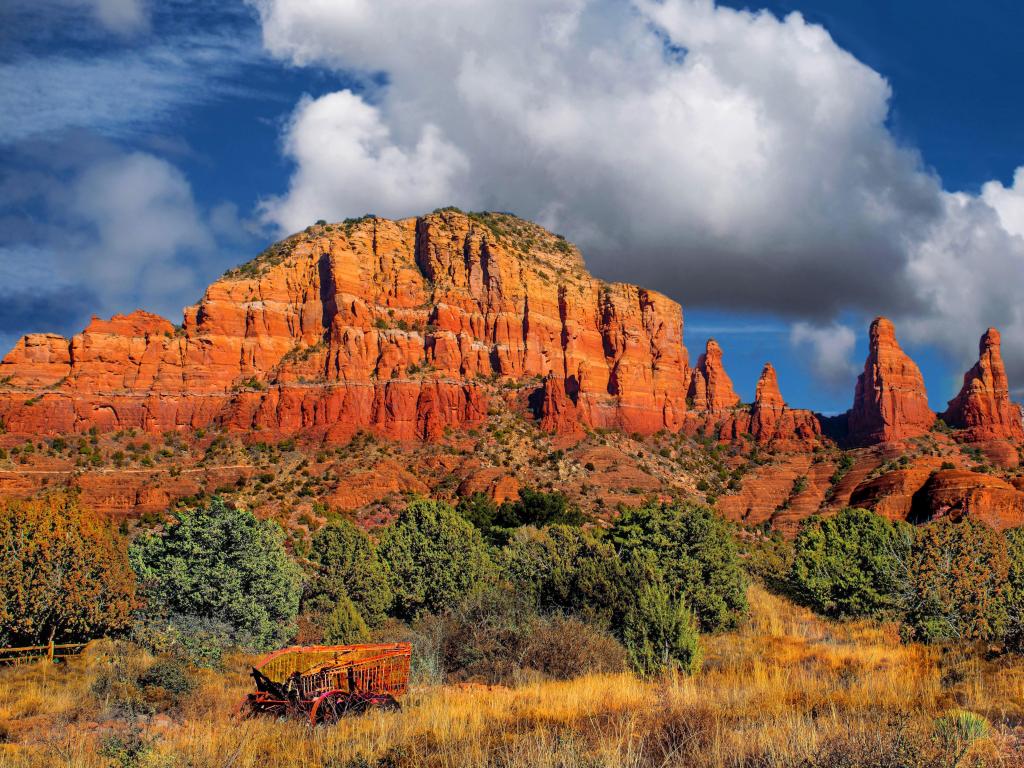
(854, 565)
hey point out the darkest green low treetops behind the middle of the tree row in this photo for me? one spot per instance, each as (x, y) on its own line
(535, 508)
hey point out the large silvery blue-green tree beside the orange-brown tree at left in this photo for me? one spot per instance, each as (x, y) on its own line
(222, 567)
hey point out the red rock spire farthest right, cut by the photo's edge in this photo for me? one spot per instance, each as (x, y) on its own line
(984, 408)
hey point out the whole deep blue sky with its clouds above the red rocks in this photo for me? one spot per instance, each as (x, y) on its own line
(784, 178)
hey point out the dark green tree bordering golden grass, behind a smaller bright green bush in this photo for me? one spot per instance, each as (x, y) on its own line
(695, 552)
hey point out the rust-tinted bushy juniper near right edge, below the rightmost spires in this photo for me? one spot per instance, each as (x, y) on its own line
(959, 582)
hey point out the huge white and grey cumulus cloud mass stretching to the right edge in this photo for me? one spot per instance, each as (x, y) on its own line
(733, 159)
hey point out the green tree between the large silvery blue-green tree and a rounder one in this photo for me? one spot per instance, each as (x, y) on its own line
(346, 565)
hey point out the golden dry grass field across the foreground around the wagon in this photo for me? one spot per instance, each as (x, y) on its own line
(789, 690)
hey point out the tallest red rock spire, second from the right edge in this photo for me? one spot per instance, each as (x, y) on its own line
(890, 403)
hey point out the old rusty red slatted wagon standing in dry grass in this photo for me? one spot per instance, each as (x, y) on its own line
(325, 682)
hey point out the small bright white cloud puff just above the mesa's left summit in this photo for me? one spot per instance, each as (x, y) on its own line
(348, 161)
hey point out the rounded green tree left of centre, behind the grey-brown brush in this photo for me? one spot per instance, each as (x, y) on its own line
(435, 558)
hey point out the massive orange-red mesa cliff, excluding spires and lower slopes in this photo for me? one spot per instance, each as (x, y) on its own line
(405, 328)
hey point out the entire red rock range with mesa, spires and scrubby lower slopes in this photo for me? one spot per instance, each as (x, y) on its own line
(477, 347)
